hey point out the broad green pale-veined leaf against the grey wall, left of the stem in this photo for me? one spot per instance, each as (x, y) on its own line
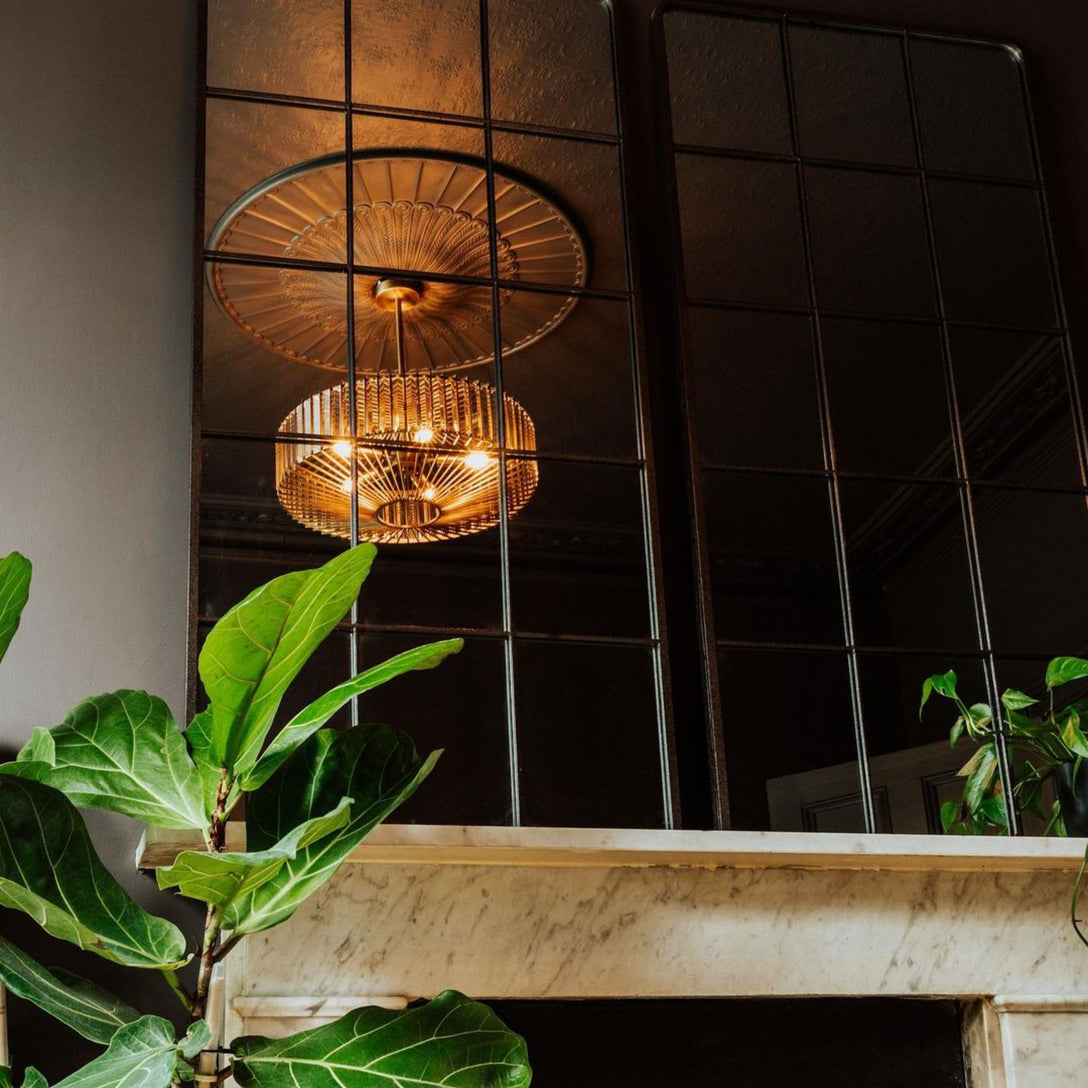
(123, 752)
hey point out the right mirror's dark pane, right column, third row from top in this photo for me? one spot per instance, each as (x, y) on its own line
(1015, 403)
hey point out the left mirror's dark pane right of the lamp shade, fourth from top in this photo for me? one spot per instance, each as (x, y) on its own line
(578, 562)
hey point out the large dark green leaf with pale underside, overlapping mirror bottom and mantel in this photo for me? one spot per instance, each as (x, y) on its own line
(377, 768)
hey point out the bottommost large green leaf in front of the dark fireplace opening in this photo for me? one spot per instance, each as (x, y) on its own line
(451, 1042)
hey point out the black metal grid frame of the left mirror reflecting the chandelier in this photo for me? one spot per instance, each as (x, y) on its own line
(487, 126)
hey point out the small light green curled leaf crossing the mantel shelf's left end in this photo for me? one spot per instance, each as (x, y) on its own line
(222, 879)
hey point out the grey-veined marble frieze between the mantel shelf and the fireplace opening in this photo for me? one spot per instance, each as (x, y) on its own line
(508, 932)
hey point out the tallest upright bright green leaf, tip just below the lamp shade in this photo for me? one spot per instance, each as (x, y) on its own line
(258, 648)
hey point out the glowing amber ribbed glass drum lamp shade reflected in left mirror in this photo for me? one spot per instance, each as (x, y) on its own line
(428, 459)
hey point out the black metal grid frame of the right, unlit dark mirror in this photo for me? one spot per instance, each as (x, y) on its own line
(962, 479)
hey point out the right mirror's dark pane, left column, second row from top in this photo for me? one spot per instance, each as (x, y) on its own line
(740, 225)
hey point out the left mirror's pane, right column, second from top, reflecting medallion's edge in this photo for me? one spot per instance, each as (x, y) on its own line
(579, 239)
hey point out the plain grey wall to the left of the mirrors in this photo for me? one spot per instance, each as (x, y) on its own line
(96, 196)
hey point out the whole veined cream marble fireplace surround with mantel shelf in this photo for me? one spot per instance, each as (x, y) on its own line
(590, 913)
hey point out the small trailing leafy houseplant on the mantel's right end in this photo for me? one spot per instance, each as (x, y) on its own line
(1045, 744)
